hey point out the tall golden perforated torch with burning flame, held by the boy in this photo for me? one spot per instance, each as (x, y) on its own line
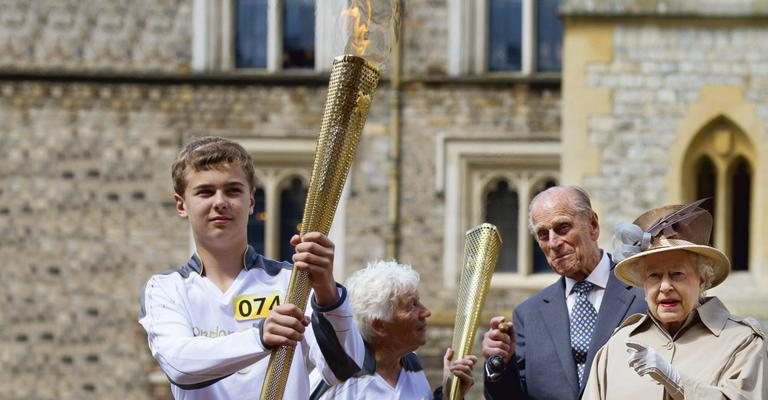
(352, 83)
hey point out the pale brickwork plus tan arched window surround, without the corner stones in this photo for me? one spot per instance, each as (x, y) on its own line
(663, 75)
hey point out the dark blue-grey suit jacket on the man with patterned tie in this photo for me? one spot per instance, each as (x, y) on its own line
(543, 366)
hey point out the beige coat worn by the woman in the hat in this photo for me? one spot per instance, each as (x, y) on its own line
(718, 356)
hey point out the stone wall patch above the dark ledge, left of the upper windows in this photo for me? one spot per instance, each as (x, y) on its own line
(78, 36)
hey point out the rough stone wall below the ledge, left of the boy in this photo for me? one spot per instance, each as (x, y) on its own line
(85, 216)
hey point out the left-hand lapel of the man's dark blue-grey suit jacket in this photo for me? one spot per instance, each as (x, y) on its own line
(555, 315)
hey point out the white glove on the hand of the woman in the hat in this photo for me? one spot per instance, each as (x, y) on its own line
(645, 360)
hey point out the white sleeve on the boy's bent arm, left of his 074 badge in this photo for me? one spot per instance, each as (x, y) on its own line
(186, 359)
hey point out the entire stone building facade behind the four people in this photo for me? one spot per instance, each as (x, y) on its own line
(97, 98)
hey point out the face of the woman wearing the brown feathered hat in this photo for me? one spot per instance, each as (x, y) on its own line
(672, 287)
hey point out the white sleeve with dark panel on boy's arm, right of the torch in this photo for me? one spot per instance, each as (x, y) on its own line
(336, 346)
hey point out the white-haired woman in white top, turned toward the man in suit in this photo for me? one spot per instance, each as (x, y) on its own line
(393, 322)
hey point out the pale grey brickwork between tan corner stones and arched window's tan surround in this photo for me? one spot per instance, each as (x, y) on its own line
(657, 72)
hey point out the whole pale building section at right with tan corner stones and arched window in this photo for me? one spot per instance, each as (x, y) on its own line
(676, 112)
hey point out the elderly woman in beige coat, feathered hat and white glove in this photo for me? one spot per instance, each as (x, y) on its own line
(689, 346)
